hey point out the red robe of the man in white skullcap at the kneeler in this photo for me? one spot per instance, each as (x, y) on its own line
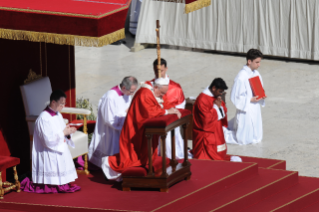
(133, 143)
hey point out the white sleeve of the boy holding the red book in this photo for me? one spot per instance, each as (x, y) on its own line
(239, 96)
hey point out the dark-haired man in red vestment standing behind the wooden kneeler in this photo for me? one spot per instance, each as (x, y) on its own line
(176, 97)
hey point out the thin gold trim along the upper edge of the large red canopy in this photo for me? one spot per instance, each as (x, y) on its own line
(61, 13)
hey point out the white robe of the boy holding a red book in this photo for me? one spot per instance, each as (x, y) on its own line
(247, 124)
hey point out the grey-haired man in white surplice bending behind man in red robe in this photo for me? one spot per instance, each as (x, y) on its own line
(112, 110)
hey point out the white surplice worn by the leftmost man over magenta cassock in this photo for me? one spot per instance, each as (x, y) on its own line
(52, 162)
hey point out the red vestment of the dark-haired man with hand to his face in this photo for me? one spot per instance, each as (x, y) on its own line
(208, 136)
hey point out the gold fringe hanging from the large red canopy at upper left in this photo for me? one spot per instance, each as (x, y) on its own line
(62, 39)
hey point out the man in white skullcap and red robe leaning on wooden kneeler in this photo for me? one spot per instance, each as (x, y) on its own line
(148, 102)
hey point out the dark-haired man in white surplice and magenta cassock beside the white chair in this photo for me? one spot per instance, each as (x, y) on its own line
(52, 164)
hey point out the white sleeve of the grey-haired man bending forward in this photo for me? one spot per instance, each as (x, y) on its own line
(110, 117)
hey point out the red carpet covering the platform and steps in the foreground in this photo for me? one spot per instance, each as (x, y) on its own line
(214, 186)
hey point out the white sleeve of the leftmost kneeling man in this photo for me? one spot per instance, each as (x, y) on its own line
(49, 138)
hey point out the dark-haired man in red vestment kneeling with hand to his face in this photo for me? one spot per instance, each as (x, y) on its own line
(210, 116)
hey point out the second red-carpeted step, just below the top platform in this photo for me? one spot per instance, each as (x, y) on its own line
(266, 183)
